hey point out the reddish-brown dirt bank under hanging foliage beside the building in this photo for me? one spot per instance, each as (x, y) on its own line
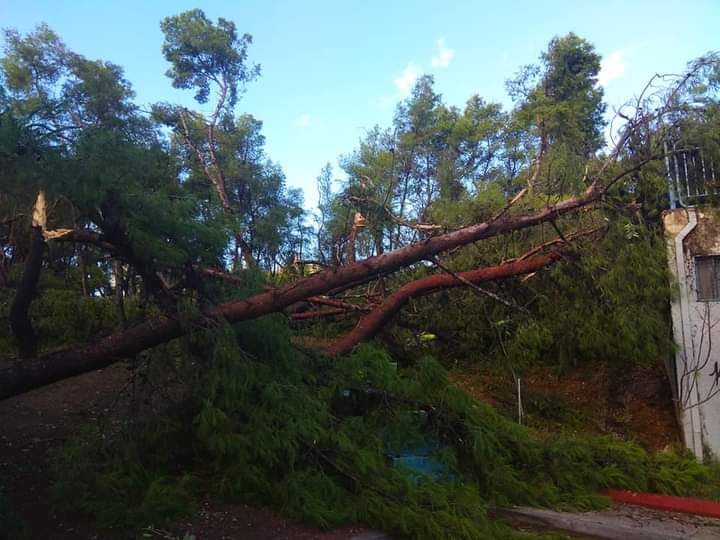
(634, 403)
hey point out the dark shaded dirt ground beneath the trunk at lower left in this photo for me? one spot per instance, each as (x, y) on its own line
(34, 423)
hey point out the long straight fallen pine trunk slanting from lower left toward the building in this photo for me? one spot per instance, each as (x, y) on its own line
(63, 364)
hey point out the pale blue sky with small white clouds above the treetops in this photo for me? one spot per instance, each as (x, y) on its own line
(332, 70)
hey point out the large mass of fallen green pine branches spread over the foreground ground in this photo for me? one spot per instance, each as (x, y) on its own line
(268, 425)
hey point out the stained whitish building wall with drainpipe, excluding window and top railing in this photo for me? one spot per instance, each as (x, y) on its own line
(696, 328)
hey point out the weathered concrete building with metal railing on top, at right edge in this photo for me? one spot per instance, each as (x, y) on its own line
(692, 232)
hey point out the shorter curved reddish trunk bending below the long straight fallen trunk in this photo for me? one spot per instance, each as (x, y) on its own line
(380, 316)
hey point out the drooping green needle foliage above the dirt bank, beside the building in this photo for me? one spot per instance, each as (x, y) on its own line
(609, 305)
